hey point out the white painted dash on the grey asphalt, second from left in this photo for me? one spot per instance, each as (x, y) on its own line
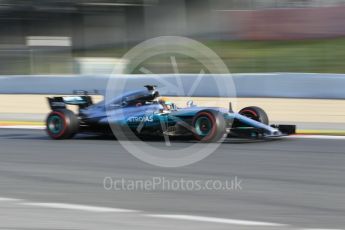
(78, 207)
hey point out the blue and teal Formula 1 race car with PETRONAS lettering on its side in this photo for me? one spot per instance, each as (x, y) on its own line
(143, 113)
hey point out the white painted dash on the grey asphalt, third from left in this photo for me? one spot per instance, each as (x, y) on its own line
(216, 220)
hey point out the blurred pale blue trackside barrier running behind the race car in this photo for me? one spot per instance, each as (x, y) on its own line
(265, 85)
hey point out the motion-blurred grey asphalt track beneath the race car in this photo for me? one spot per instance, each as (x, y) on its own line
(293, 183)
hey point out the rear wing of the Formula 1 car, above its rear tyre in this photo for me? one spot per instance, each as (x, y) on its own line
(61, 102)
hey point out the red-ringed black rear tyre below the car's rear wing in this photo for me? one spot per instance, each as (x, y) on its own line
(62, 124)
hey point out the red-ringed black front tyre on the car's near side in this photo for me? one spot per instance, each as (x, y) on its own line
(209, 126)
